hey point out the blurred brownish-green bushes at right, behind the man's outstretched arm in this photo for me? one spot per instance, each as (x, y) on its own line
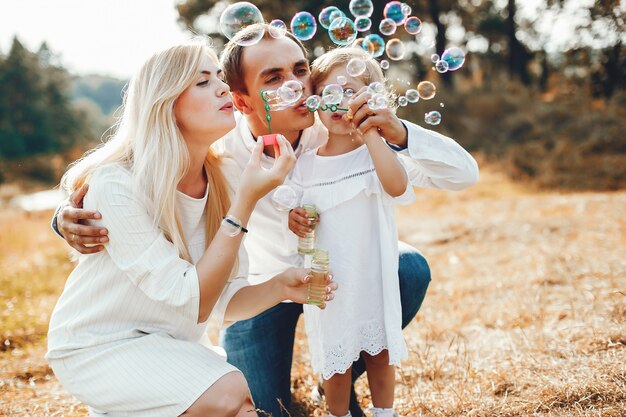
(567, 142)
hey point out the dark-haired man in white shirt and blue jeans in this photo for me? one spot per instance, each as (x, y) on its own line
(262, 347)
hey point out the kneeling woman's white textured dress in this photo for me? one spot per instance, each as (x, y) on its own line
(124, 337)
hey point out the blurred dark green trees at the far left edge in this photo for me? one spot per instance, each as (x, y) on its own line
(36, 115)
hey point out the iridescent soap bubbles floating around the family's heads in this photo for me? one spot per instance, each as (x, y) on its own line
(343, 31)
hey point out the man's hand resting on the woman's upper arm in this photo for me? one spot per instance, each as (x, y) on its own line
(67, 223)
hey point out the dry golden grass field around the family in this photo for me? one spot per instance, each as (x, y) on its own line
(525, 316)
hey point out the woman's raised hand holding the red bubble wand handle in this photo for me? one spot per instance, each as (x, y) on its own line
(257, 181)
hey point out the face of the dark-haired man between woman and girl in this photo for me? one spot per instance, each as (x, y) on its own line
(266, 66)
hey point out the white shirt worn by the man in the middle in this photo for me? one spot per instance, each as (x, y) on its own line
(432, 160)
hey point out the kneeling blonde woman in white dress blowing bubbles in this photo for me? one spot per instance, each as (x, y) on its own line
(127, 336)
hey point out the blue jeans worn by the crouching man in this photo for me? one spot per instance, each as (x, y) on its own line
(262, 347)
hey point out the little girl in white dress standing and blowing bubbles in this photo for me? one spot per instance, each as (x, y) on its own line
(354, 180)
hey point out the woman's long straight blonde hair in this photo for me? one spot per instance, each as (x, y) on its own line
(147, 140)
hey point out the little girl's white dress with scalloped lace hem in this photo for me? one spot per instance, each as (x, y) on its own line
(358, 229)
